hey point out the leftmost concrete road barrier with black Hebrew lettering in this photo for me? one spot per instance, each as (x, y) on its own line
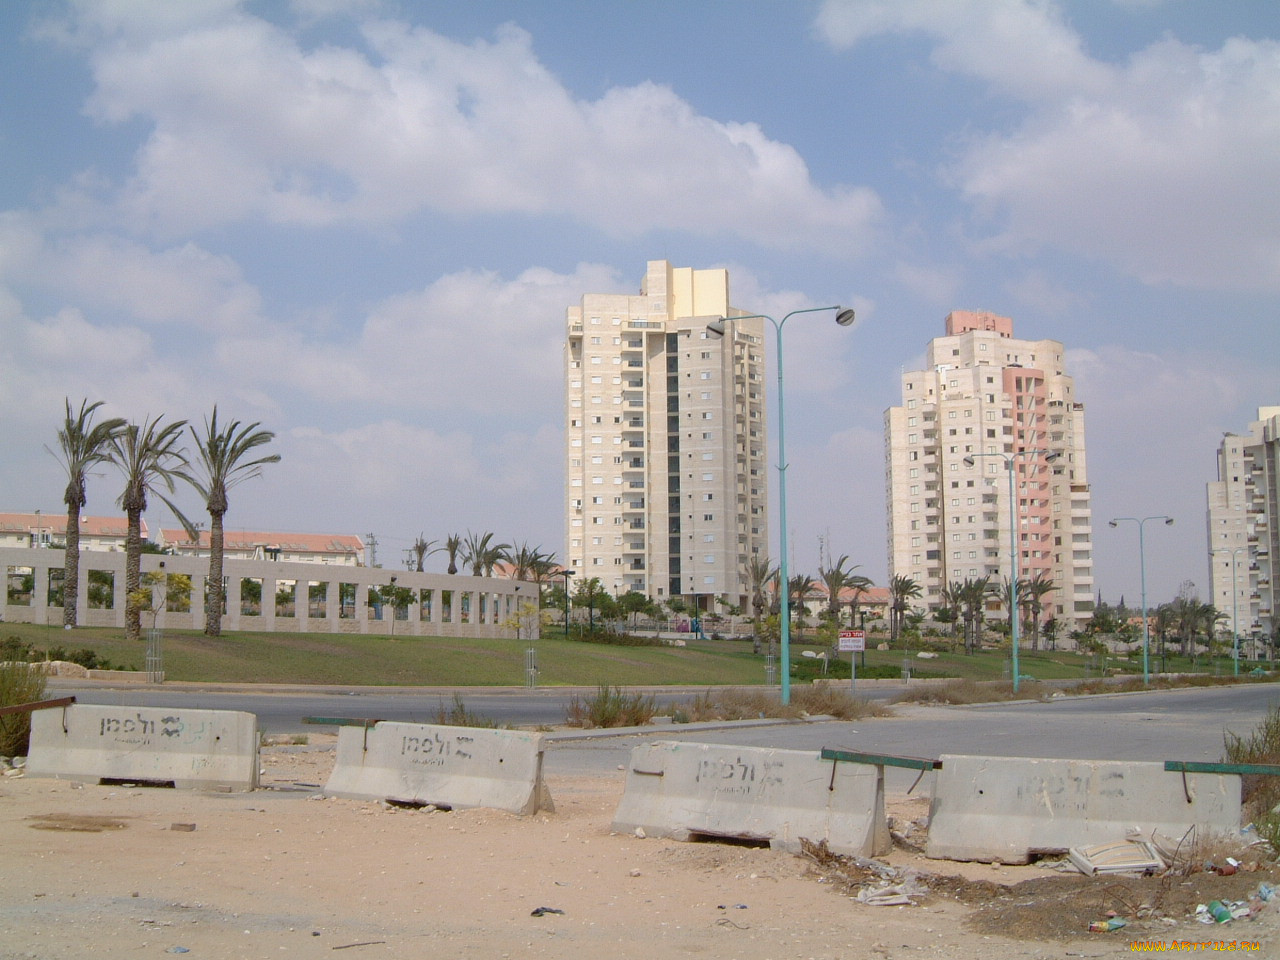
(190, 749)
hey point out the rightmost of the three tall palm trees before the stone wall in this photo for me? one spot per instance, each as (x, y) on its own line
(222, 464)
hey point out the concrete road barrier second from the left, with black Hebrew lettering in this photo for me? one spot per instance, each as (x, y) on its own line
(417, 764)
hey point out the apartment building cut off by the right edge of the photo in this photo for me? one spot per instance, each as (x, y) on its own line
(1244, 537)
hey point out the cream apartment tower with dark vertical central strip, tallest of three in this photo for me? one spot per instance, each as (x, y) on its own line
(665, 459)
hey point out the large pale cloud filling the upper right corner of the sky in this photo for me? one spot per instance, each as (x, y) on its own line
(1160, 166)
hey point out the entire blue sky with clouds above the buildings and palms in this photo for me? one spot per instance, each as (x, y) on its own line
(360, 223)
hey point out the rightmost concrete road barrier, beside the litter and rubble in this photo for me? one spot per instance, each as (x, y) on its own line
(1000, 810)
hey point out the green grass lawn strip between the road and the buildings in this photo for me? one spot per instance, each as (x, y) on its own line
(372, 660)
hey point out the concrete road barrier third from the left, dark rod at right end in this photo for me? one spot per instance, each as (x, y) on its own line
(707, 790)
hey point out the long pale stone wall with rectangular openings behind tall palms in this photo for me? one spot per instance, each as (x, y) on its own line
(445, 606)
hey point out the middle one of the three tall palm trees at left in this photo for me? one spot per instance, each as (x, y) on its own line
(150, 456)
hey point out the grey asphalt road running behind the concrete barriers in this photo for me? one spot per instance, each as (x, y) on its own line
(1169, 725)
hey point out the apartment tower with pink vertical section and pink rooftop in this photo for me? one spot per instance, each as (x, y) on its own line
(989, 396)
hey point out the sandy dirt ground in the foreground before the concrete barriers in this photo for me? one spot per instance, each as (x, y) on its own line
(132, 872)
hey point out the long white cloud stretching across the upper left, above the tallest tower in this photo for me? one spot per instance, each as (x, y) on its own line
(335, 135)
